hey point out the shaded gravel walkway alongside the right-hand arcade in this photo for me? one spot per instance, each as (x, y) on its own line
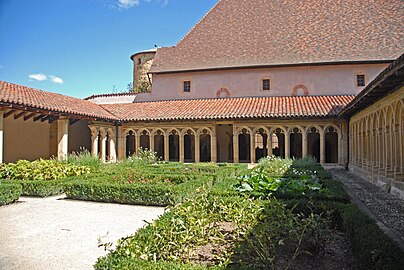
(386, 208)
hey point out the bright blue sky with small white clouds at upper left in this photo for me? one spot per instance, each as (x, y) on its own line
(82, 47)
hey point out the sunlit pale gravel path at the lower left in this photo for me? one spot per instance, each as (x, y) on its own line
(55, 233)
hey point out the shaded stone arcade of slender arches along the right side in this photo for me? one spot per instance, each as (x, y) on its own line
(377, 148)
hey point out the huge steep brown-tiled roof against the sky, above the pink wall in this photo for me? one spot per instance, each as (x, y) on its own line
(254, 33)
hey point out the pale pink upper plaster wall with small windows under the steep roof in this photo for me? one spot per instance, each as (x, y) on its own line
(319, 80)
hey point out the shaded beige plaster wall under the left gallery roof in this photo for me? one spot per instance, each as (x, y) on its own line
(25, 139)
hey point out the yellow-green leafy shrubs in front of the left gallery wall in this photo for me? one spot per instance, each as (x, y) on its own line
(40, 170)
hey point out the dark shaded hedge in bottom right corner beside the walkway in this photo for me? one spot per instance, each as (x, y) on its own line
(371, 247)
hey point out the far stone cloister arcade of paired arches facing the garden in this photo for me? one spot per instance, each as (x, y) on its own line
(236, 142)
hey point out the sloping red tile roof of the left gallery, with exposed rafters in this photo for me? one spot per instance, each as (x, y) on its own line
(14, 94)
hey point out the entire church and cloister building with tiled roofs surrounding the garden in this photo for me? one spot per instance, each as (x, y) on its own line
(252, 78)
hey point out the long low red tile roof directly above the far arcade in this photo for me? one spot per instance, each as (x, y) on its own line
(231, 108)
